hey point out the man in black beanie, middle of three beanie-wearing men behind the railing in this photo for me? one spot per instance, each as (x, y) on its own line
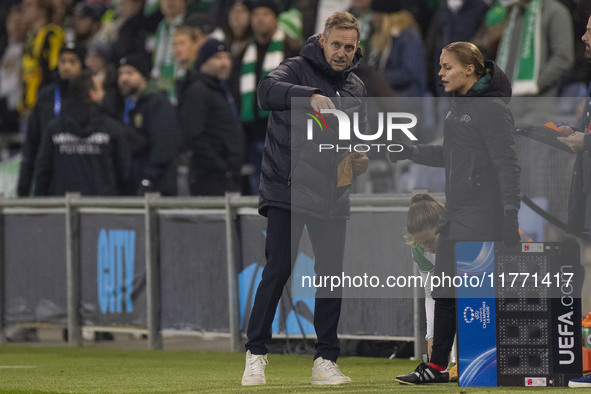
(150, 114)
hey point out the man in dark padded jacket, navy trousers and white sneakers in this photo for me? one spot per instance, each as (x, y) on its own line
(305, 192)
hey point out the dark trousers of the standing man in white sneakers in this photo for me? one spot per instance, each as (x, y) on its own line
(284, 231)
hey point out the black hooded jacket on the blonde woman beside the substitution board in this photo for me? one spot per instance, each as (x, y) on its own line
(480, 160)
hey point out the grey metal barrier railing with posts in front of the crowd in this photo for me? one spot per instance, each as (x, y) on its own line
(151, 205)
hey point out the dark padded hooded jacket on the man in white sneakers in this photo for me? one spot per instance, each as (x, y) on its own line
(295, 175)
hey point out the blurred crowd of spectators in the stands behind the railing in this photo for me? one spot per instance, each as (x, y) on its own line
(112, 95)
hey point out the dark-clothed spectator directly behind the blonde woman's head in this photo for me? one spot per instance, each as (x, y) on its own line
(454, 20)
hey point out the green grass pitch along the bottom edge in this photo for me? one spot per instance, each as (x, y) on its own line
(26, 369)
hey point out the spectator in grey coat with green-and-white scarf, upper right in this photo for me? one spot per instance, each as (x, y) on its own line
(541, 72)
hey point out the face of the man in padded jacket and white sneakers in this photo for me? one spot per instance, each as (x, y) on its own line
(339, 47)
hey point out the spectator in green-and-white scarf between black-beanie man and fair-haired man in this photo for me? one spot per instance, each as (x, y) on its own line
(164, 67)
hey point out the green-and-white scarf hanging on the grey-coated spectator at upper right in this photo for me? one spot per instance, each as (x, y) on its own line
(525, 71)
